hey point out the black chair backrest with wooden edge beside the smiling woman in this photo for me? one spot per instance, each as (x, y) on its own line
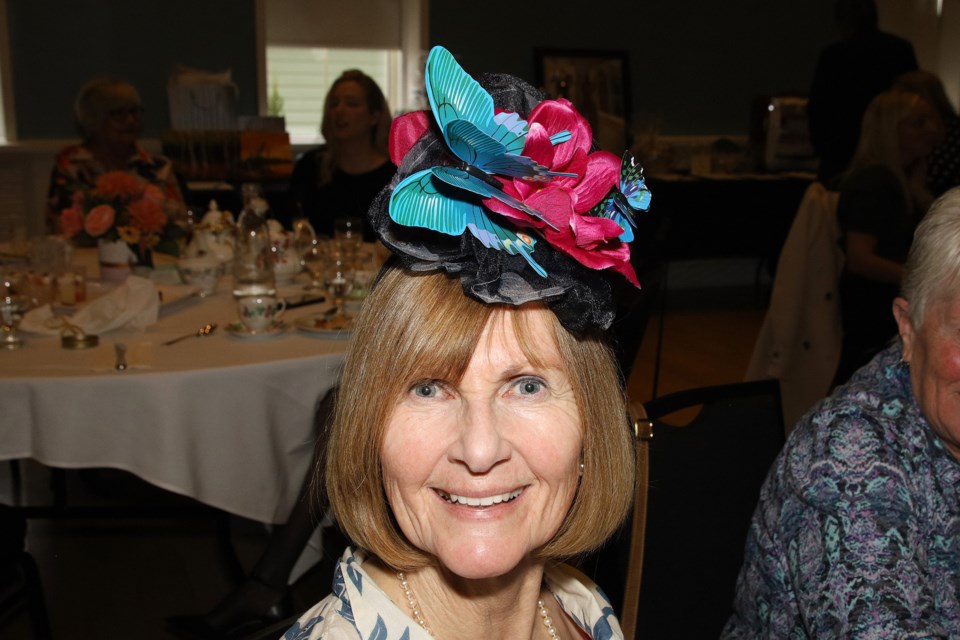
(703, 483)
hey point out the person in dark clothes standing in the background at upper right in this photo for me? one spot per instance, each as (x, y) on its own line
(849, 73)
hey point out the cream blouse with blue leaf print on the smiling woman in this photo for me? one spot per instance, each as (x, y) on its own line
(357, 608)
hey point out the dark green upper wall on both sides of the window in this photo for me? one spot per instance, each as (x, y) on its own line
(697, 64)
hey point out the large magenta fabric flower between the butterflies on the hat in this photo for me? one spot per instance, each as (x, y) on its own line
(593, 242)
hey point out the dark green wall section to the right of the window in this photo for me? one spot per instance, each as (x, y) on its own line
(695, 63)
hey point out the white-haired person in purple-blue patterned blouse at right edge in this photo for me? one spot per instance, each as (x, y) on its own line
(857, 532)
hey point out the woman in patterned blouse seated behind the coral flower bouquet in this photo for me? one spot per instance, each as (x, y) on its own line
(107, 115)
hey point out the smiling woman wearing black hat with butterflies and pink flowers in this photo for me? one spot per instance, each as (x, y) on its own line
(480, 434)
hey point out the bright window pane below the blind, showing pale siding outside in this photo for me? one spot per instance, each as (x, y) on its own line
(298, 79)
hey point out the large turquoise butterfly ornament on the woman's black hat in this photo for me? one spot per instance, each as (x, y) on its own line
(487, 144)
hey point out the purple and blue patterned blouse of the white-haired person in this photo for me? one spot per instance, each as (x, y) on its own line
(857, 532)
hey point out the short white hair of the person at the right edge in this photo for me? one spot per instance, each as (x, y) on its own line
(932, 271)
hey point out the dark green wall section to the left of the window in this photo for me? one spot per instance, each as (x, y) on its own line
(57, 45)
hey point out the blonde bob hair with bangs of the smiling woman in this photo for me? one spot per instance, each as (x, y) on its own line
(417, 326)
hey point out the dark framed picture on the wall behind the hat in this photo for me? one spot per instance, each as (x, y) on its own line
(596, 82)
